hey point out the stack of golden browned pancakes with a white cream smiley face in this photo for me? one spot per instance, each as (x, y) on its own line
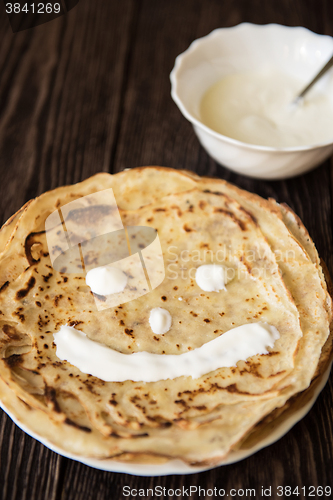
(272, 278)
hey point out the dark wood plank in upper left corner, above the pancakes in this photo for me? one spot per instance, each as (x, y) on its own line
(59, 95)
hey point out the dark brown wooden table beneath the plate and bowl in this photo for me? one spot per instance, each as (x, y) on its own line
(89, 92)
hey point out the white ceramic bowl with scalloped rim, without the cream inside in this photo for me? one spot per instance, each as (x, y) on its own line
(294, 51)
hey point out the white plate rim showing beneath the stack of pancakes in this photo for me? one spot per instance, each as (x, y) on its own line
(177, 466)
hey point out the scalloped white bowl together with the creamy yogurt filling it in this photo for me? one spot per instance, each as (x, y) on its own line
(236, 86)
